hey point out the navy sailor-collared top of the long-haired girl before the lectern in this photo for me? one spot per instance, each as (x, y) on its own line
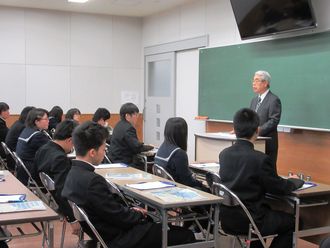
(175, 161)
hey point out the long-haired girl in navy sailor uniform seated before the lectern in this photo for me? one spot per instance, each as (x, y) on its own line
(172, 154)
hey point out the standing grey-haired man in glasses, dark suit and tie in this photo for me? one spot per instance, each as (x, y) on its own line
(268, 106)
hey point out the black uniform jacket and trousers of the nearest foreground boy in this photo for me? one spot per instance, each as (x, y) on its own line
(119, 225)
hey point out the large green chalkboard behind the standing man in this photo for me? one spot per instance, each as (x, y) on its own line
(300, 70)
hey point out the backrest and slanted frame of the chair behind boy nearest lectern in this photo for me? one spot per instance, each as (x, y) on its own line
(230, 199)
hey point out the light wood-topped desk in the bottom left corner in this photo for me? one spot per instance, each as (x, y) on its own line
(13, 186)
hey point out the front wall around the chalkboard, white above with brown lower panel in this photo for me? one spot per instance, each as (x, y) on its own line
(215, 18)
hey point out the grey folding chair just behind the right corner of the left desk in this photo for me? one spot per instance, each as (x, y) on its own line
(49, 185)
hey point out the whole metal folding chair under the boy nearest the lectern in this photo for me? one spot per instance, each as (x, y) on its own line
(230, 199)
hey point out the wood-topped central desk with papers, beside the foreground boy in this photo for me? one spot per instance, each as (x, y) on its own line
(146, 197)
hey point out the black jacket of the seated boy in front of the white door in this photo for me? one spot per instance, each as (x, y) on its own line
(125, 144)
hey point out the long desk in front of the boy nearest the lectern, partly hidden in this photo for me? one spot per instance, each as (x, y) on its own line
(309, 205)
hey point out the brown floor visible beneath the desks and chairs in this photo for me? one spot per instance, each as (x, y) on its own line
(71, 240)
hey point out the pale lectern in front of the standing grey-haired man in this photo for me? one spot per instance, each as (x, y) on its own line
(209, 145)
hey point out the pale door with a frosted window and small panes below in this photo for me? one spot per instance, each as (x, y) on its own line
(159, 95)
